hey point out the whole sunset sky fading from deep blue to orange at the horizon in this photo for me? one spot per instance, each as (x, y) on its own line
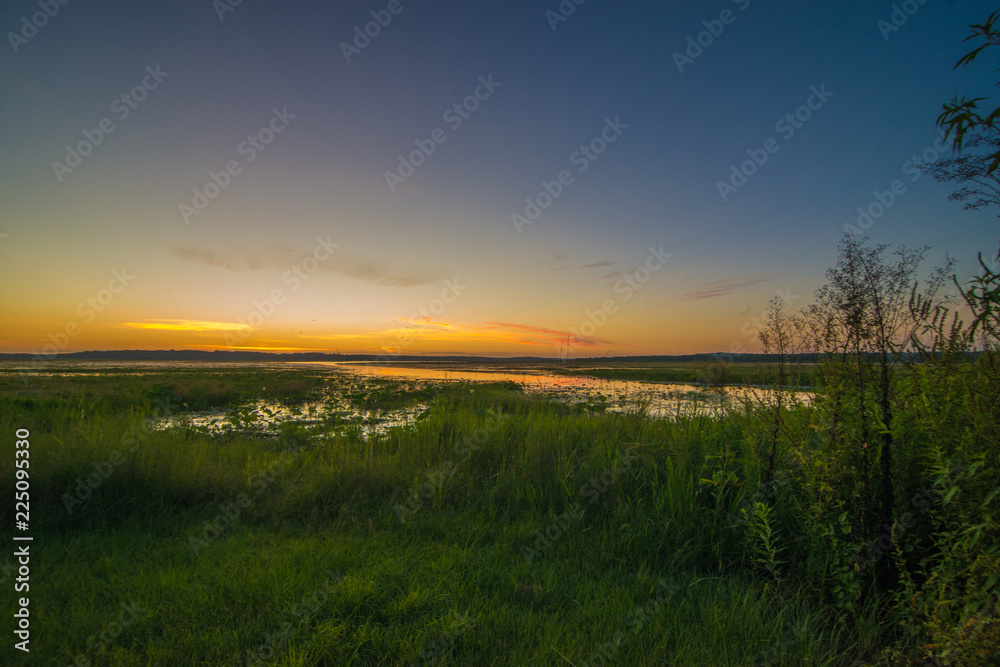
(503, 178)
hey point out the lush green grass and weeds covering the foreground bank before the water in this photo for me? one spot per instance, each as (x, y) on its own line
(496, 528)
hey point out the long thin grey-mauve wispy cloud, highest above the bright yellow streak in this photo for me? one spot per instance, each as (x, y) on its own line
(370, 270)
